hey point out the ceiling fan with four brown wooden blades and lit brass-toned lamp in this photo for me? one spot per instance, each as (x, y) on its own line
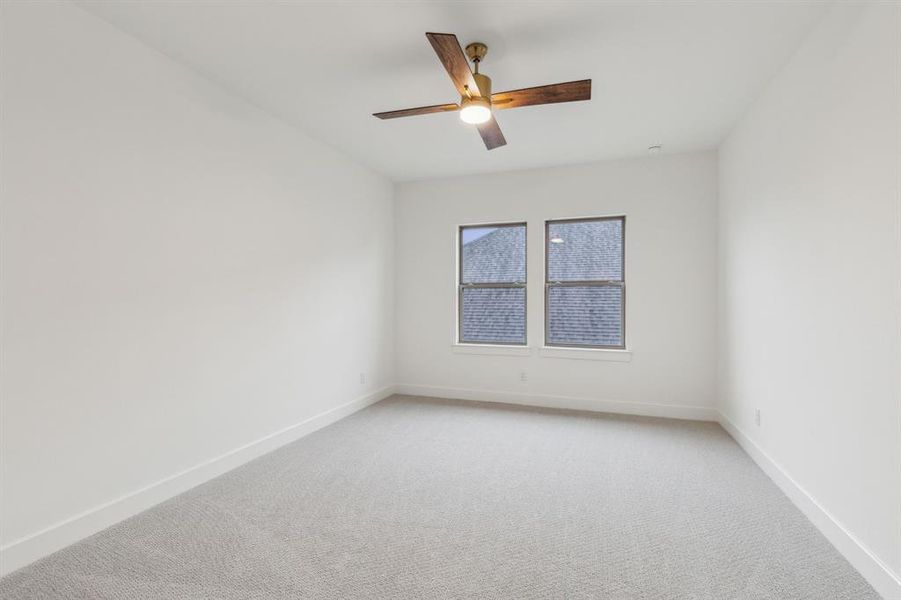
(476, 99)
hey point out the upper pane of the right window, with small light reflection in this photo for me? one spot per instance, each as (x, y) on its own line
(585, 250)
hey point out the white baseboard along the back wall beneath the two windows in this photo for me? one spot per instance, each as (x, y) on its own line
(671, 411)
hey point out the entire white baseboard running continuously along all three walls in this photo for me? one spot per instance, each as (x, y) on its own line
(28, 549)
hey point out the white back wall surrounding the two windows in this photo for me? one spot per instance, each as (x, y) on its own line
(669, 203)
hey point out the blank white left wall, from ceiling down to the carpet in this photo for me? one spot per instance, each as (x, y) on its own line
(182, 274)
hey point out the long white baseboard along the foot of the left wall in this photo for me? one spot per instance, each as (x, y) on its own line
(25, 550)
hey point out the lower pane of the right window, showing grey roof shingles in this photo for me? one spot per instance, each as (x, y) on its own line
(585, 316)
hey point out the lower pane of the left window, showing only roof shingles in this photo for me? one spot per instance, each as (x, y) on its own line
(495, 315)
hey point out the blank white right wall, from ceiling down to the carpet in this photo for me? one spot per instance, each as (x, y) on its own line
(810, 263)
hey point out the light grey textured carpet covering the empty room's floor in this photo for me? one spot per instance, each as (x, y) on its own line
(418, 498)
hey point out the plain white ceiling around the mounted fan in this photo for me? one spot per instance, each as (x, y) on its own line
(676, 73)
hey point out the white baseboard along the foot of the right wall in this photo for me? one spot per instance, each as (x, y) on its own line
(876, 572)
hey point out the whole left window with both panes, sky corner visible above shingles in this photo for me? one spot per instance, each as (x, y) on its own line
(492, 284)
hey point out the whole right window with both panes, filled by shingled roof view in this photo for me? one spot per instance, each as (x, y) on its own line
(584, 283)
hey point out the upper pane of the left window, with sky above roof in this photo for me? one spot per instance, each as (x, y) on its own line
(493, 254)
